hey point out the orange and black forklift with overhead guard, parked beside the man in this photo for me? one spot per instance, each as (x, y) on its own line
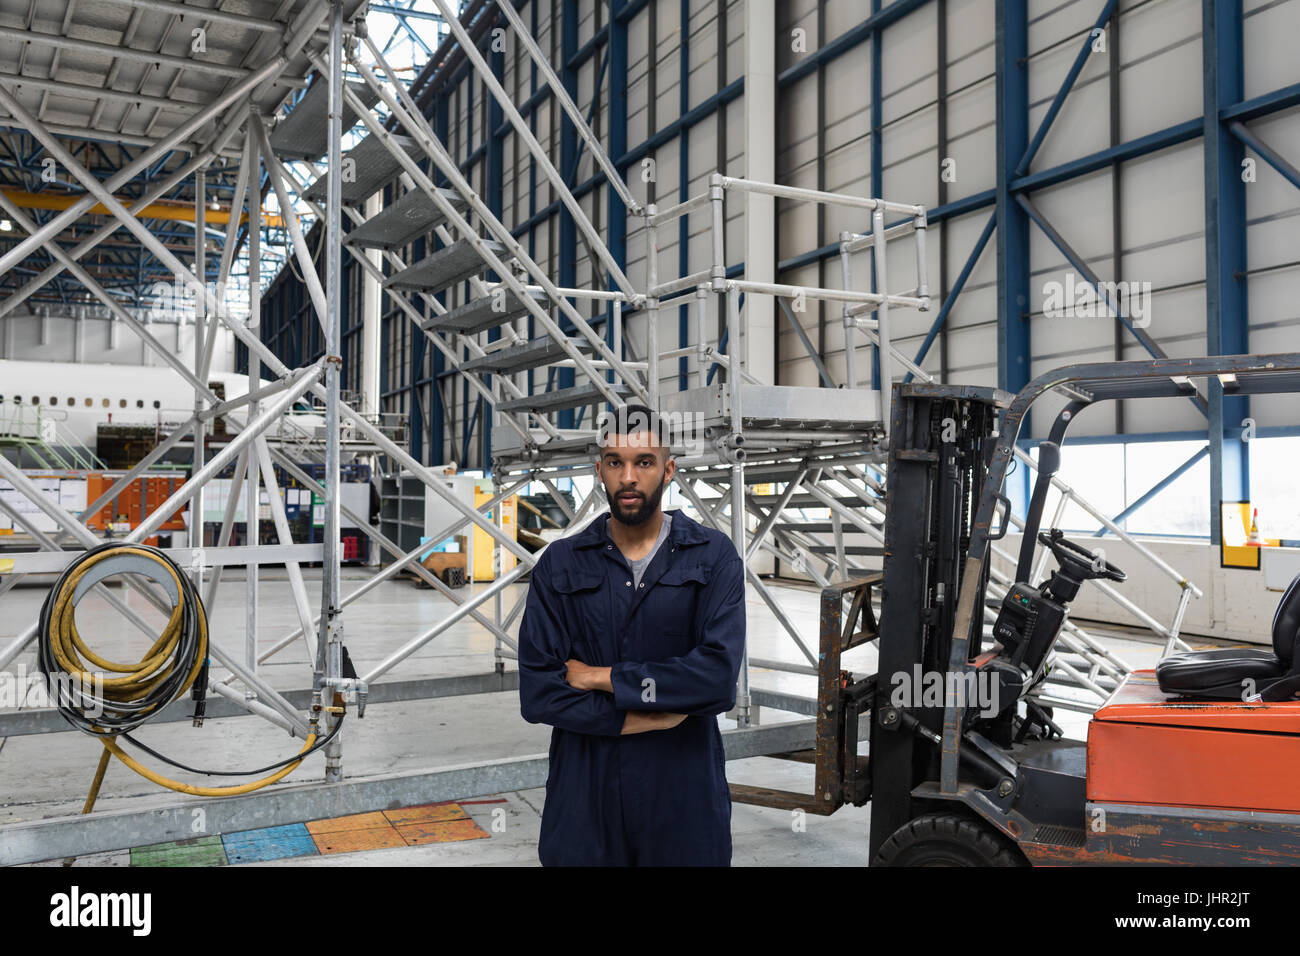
(1195, 763)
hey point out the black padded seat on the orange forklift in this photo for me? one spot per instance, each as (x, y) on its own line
(1232, 673)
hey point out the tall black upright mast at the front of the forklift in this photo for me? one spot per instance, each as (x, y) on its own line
(942, 439)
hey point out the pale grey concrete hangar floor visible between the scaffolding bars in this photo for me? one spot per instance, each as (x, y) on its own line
(47, 776)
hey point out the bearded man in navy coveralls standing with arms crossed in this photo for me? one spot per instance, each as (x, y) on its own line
(630, 648)
